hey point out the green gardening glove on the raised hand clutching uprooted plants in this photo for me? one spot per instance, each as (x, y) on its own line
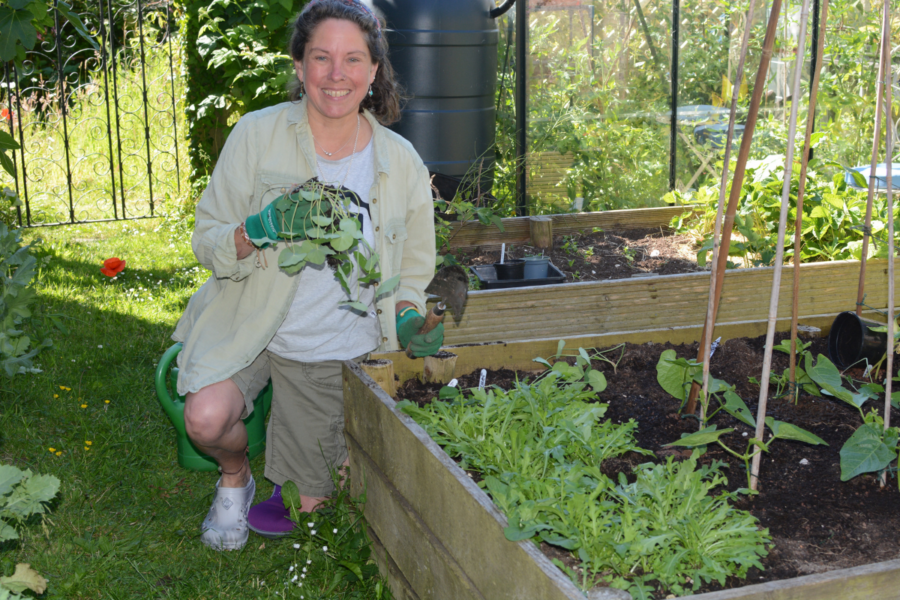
(288, 217)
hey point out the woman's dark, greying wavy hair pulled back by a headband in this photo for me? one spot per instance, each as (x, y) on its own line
(384, 102)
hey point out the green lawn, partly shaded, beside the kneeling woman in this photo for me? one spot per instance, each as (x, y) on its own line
(126, 521)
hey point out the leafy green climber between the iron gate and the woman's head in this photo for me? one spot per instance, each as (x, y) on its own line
(236, 61)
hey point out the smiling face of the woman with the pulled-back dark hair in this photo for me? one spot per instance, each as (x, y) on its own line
(336, 69)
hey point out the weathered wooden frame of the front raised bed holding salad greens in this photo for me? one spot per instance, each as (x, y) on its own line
(438, 535)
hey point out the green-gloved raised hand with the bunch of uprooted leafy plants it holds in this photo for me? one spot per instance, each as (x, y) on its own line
(315, 223)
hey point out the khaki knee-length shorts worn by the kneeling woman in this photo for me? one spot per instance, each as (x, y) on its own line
(305, 436)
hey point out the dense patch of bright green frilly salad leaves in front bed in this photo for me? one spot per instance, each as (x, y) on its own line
(539, 448)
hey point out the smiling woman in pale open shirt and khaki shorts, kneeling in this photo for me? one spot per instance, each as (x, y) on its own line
(251, 321)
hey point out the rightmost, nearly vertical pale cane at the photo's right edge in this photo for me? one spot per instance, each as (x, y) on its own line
(887, 79)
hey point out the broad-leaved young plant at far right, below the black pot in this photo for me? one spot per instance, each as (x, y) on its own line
(871, 448)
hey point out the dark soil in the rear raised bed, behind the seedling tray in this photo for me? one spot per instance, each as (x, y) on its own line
(602, 255)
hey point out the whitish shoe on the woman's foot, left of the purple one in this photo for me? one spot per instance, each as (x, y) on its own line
(225, 526)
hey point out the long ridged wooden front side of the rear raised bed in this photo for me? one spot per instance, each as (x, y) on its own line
(661, 302)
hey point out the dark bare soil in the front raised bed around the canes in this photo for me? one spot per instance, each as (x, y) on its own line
(817, 522)
